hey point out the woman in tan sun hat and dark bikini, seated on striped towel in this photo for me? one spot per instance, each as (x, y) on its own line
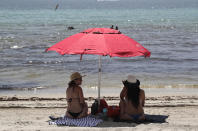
(77, 107)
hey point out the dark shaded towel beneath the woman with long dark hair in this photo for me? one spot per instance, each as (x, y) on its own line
(149, 119)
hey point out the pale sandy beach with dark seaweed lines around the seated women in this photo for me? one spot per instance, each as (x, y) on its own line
(32, 113)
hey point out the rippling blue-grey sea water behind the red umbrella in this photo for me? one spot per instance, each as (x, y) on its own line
(168, 29)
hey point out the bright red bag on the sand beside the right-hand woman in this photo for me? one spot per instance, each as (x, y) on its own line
(113, 111)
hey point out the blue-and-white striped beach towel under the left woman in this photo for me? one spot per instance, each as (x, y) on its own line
(88, 121)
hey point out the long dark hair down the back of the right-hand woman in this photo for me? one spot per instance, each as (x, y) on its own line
(133, 92)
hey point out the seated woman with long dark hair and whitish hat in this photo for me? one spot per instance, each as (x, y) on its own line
(132, 100)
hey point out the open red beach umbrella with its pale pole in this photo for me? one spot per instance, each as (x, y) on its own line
(102, 42)
